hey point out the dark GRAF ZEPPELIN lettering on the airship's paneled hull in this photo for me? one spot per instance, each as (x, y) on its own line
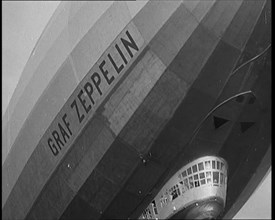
(92, 88)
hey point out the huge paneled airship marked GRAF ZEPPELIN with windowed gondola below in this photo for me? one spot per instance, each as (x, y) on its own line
(141, 110)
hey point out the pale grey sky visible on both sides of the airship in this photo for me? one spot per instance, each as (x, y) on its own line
(22, 24)
